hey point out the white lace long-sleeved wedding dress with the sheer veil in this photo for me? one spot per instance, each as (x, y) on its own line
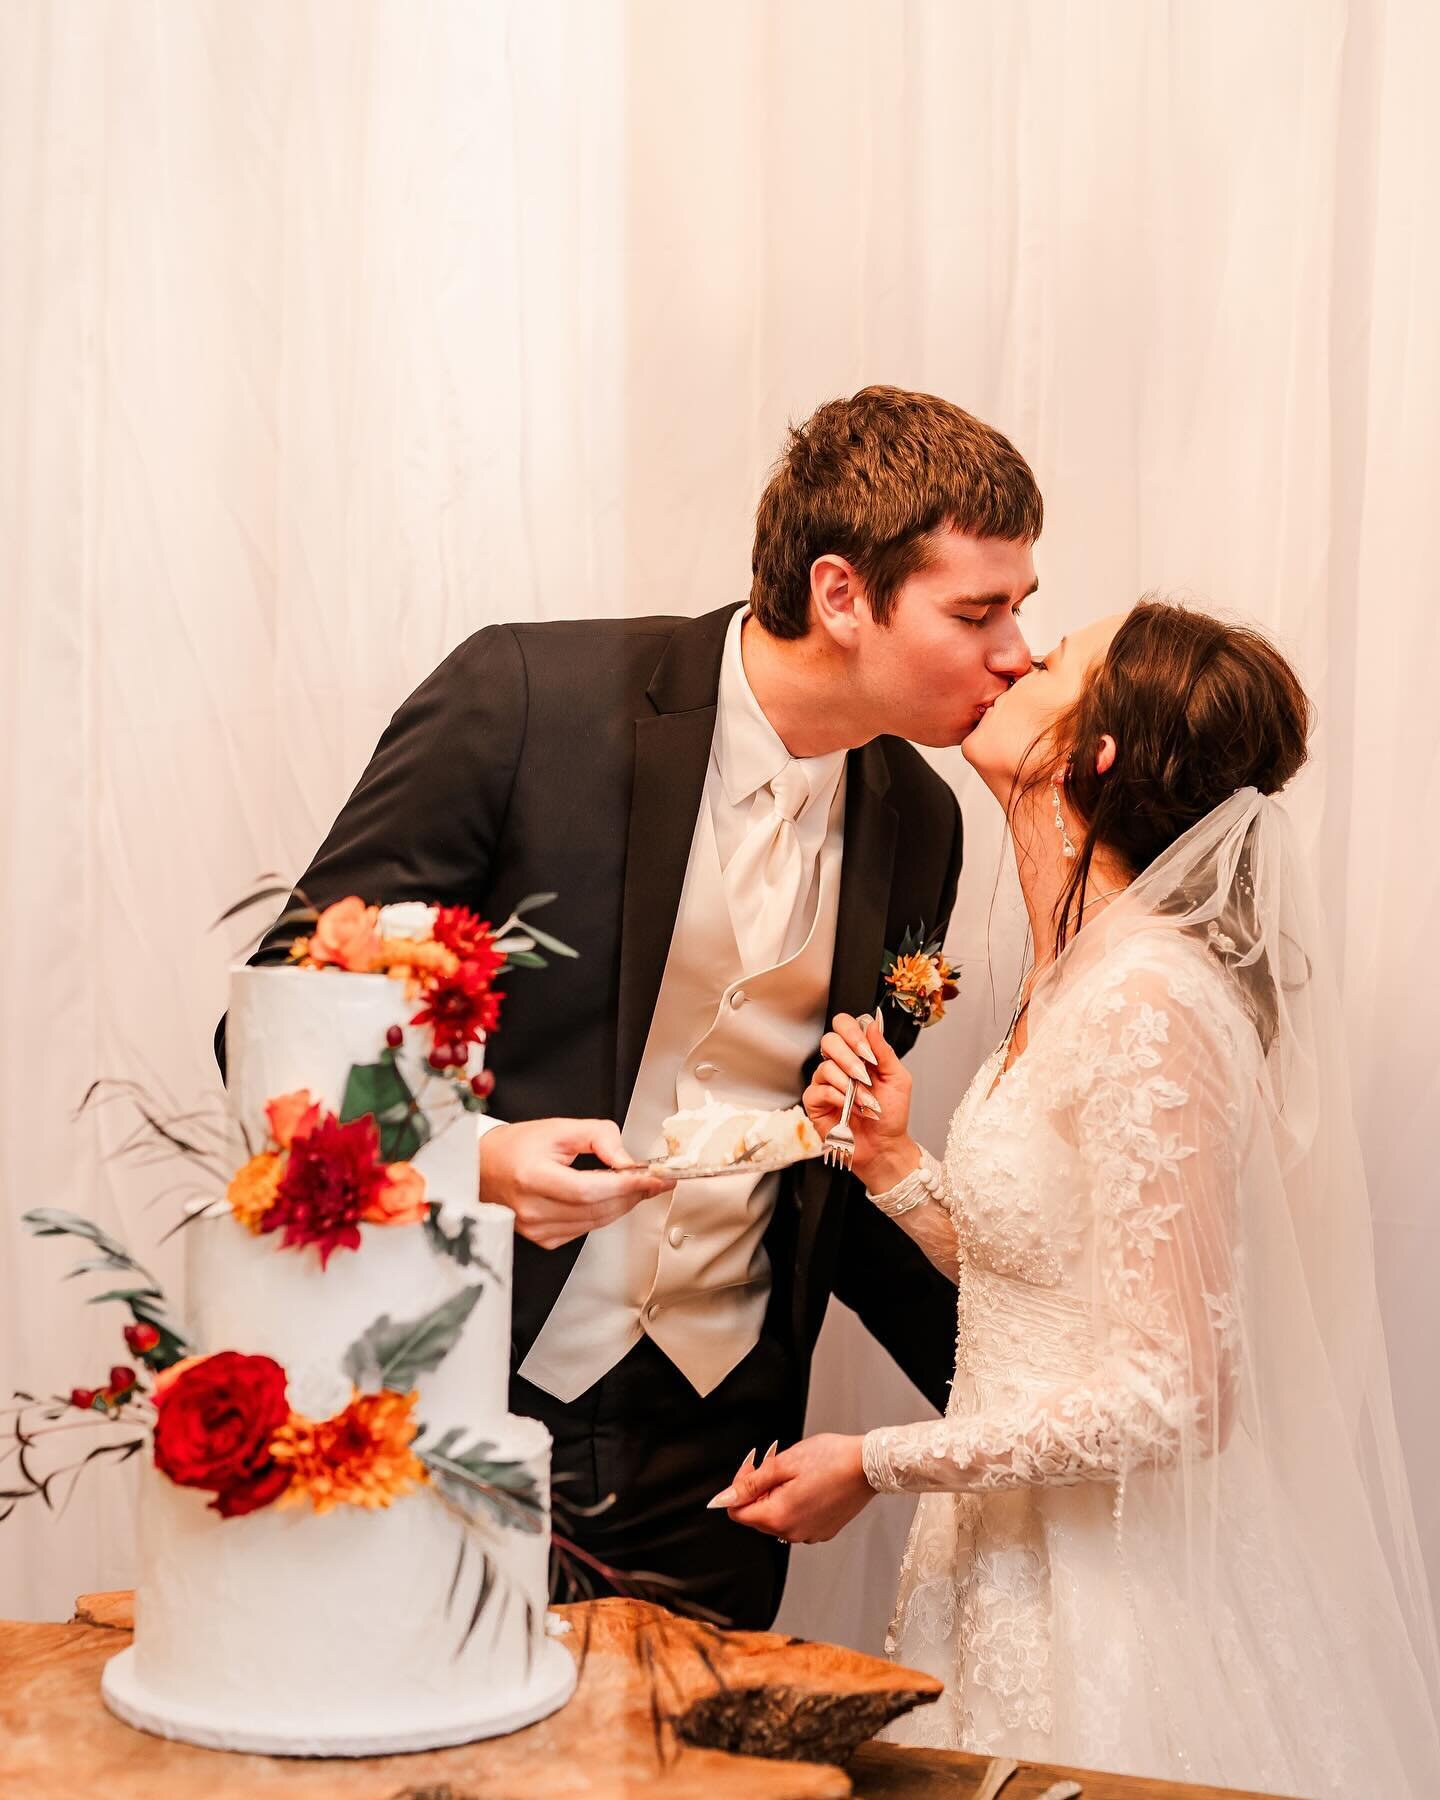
(1164, 1525)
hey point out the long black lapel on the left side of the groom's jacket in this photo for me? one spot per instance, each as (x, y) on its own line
(672, 753)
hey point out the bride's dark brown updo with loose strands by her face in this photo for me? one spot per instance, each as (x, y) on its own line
(1200, 710)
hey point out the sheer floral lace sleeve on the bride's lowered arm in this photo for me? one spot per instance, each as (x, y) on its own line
(1151, 1110)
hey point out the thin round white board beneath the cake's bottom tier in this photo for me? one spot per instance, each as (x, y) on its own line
(552, 1682)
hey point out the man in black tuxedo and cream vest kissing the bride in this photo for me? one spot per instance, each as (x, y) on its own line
(737, 834)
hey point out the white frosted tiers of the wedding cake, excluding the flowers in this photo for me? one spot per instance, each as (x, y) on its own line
(397, 1623)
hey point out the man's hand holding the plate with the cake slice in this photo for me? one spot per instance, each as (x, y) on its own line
(528, 1169)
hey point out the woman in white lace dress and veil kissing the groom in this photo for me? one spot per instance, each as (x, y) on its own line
(1164, 1525)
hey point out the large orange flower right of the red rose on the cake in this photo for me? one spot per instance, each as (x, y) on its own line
(359, 1459)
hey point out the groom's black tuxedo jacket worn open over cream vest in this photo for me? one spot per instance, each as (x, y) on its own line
(571, 760)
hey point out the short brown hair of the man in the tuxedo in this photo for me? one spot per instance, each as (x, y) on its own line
(870, 480)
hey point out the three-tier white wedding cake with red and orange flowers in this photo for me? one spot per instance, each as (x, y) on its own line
(345, 1533)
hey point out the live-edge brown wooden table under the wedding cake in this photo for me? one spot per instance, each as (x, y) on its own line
(58, 1741)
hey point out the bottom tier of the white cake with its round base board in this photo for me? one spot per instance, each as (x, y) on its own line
(341, 1633)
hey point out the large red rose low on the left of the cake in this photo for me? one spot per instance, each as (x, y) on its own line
(215, 1423)
